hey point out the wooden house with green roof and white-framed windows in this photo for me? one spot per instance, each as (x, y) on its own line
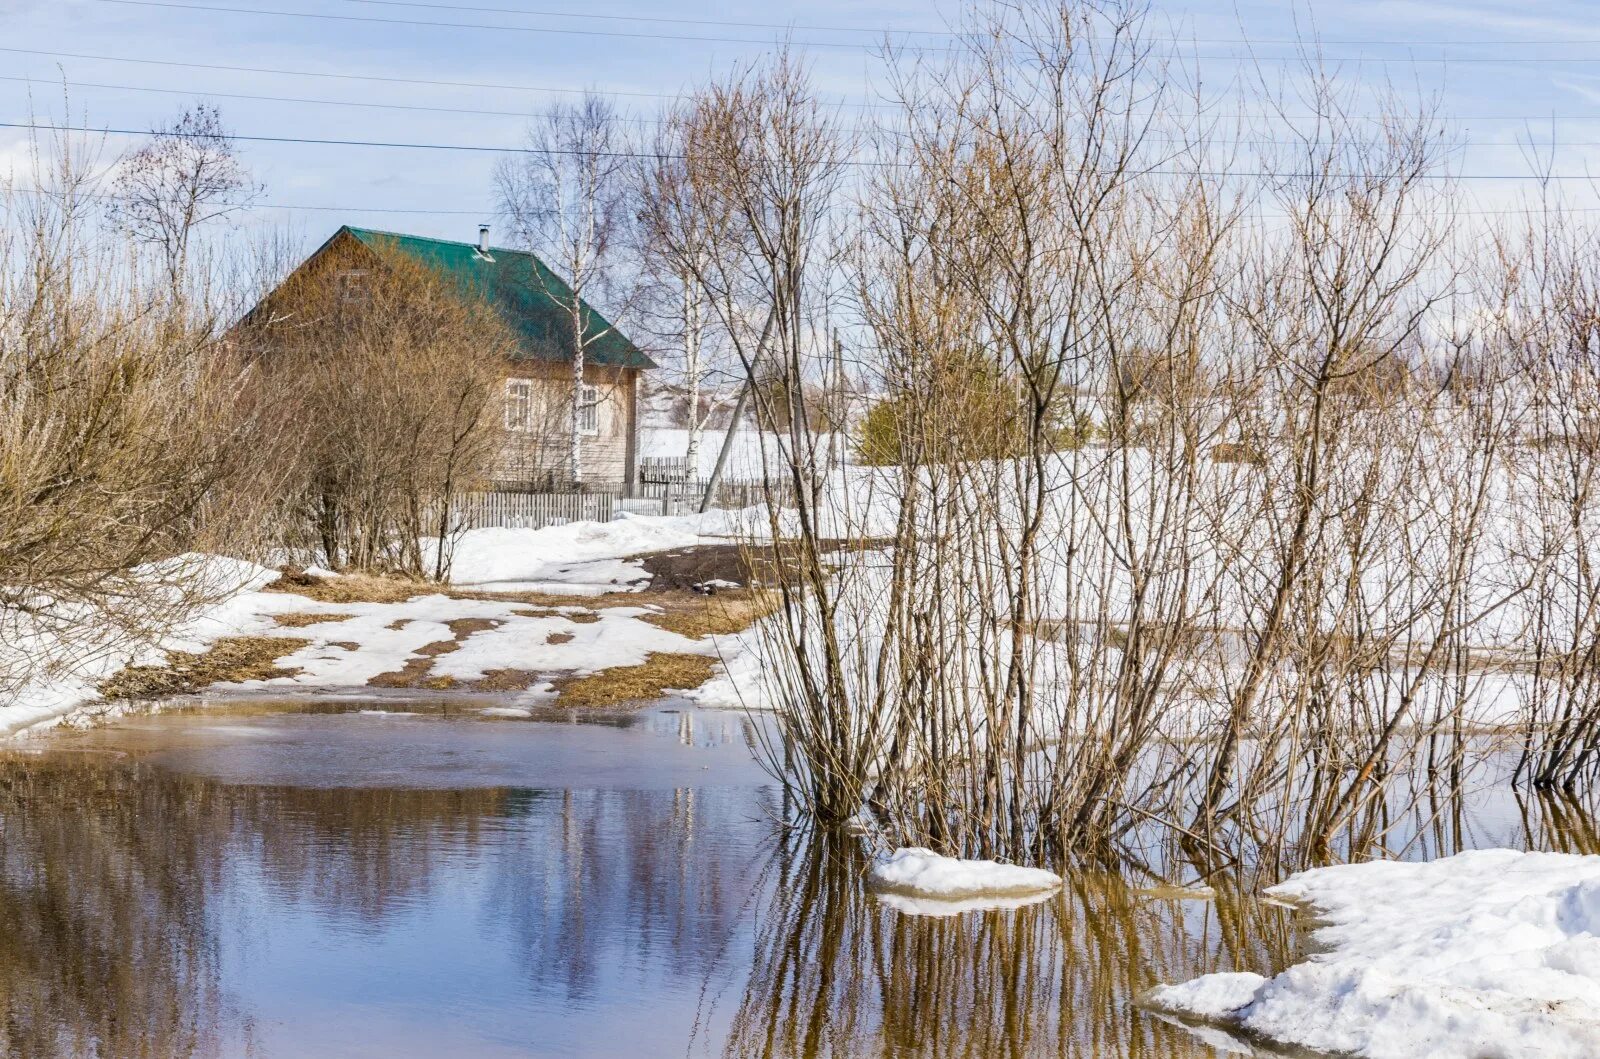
(537, 414)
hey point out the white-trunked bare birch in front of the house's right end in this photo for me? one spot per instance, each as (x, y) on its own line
(567, 198)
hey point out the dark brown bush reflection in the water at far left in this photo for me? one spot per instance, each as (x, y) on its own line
(102, 948)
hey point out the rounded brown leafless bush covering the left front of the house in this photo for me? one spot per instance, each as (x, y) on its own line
(383, 407)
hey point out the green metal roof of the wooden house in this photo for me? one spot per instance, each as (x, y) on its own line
(526, 292)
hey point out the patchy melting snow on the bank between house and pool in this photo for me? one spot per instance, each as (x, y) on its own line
(364, 641)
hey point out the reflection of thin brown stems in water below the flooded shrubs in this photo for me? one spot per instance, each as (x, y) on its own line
(839, 972)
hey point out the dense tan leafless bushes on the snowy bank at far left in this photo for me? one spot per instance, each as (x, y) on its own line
(119, 441)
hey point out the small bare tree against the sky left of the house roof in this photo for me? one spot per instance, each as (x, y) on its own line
(185, 178)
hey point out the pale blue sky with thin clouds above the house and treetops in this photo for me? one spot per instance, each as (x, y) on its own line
(511, 46)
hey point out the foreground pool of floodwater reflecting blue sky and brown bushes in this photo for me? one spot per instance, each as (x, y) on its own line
(342, 884)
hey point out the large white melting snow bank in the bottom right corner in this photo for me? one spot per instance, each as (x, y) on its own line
(1484, 954)
